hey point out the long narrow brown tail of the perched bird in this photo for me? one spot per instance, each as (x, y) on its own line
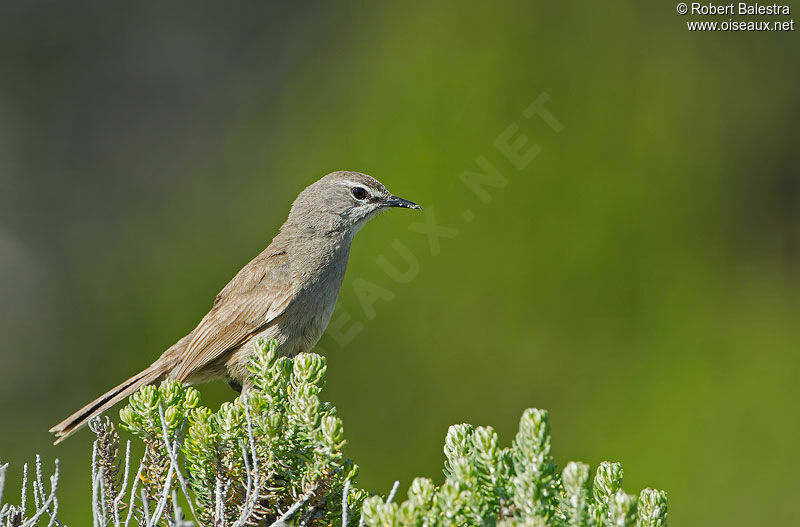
(158, 371)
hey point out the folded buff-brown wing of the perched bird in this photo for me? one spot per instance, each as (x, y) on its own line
(253, 298)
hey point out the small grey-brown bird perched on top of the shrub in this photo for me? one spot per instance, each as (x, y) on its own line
(286, 294)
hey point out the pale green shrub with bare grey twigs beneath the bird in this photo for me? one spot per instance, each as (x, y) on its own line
(274, 456)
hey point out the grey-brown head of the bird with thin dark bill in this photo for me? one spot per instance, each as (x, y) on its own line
(344, 201)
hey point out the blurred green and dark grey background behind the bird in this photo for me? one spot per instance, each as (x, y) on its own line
(639, 278)
